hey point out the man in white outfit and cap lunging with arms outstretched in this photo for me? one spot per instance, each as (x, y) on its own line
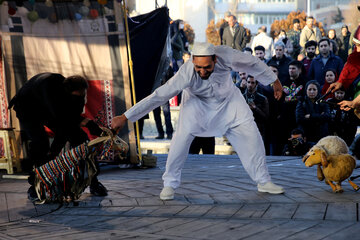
(211, 105)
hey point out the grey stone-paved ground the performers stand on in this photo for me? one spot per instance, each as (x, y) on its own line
(216, 200)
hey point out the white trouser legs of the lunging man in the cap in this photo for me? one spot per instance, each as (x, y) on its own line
(244, 138)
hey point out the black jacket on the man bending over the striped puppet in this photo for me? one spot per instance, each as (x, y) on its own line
(44, 98)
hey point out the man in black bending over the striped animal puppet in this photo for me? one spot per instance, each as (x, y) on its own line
(51, 100)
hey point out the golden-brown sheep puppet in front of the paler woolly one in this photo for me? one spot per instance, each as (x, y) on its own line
(332, 168)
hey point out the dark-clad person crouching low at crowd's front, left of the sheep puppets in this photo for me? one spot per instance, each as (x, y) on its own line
(297, 144)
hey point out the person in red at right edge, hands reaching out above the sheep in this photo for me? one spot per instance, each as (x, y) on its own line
(349, 73)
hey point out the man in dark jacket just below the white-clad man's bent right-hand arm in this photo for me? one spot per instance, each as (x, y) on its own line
(258, 104)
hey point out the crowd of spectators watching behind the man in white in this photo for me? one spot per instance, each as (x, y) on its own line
(306, 64)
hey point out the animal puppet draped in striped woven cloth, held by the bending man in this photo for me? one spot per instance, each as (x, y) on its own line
(67, 176)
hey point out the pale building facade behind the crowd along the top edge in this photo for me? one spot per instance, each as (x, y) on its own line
(252, 13)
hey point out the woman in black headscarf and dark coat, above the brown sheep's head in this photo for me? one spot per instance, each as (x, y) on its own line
(313, 118)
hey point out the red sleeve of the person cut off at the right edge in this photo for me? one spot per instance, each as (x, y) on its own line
(351, 70)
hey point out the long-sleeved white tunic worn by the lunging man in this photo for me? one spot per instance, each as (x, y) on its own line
(208, 107)
